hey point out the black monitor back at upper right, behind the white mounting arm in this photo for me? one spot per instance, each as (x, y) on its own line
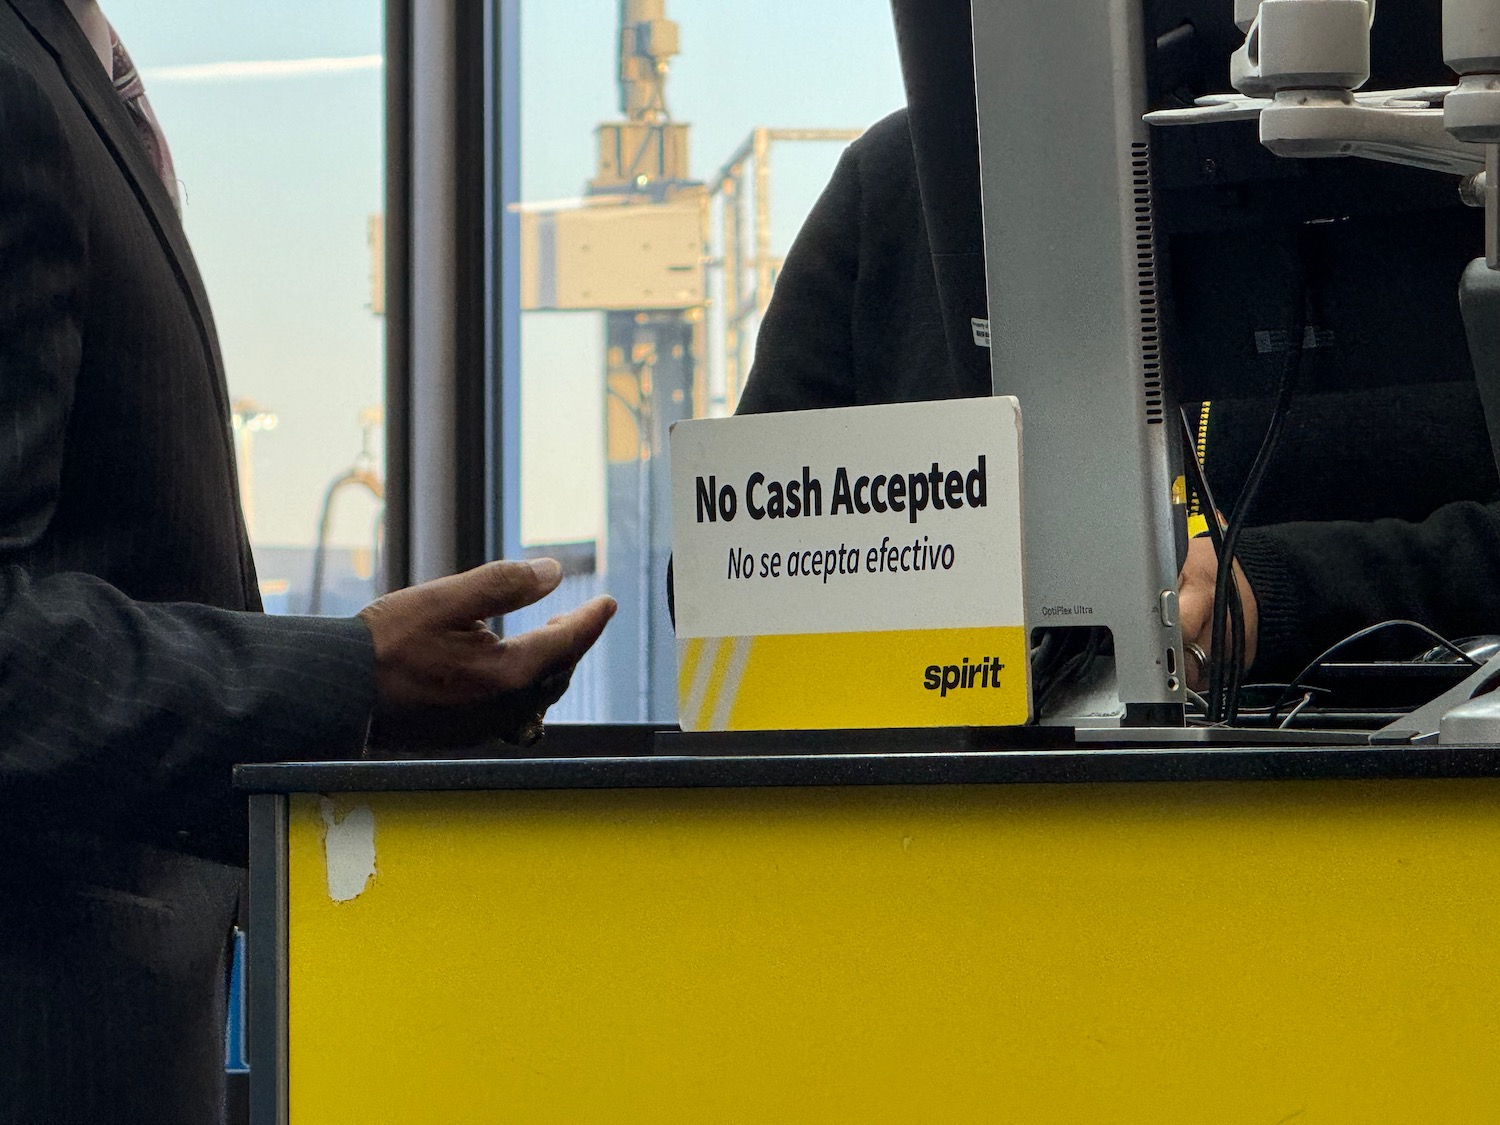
(1393, 241)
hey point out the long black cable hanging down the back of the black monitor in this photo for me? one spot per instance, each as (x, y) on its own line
(1228, 671)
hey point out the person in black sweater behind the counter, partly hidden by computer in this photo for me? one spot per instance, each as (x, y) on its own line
(1378, 506)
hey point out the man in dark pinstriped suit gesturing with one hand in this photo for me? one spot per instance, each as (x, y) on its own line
(134, 670)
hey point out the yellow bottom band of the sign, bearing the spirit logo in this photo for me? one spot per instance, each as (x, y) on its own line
(805, 682)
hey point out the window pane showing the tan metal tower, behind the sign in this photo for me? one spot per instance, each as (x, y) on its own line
(635, 308)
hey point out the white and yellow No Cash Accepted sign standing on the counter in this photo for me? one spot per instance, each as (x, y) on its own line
(851, 568)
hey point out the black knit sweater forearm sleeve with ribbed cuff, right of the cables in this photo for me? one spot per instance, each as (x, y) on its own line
(1319, 583)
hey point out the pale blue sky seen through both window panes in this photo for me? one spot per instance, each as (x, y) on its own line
(283, 167)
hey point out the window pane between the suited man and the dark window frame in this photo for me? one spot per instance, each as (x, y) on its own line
(274, 112)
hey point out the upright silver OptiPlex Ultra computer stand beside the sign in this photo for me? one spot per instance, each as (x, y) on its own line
(1076, 335)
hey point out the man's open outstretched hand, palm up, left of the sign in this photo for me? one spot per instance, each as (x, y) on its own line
(445, 679)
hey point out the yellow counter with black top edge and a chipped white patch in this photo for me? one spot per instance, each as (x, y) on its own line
(1220, 937)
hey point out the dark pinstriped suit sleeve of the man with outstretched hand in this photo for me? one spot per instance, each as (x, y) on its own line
(110, 706)
